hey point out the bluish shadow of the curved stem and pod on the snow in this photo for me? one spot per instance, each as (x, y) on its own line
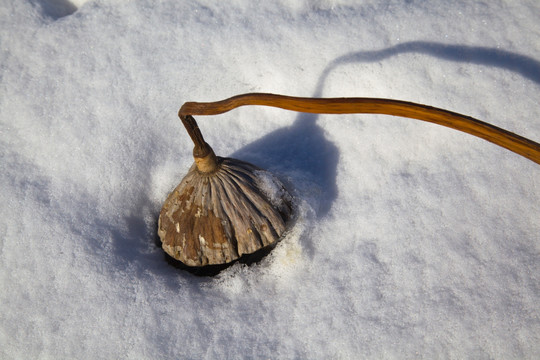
(303, 146)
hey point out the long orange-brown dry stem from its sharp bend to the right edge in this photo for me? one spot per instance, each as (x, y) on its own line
(513, 142)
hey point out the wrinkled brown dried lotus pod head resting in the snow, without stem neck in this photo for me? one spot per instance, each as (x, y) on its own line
(214, 218)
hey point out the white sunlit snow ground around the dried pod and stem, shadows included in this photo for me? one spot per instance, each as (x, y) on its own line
(413, 240)
